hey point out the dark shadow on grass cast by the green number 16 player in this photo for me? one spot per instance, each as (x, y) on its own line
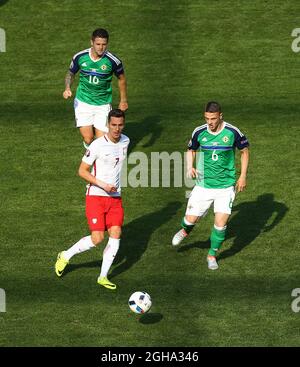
(149, 126)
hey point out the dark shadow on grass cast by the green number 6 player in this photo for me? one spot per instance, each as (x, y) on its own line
(251, 219)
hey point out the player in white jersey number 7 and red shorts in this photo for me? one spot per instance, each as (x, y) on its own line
(101, 167)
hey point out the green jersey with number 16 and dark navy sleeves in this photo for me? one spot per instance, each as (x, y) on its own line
(95, 76)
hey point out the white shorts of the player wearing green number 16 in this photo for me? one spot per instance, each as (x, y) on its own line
(90, 115)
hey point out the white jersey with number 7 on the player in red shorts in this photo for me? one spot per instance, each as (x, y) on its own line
(106, 159)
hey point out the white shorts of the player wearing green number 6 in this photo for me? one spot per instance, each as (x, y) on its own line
(202, 198)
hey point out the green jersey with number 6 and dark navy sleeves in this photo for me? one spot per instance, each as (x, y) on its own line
(216, 157)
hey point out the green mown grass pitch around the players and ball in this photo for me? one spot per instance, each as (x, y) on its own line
(177, 56)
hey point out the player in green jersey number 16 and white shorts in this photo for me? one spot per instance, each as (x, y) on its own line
(92, 103)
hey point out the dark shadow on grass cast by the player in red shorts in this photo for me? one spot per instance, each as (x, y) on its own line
(134, 242)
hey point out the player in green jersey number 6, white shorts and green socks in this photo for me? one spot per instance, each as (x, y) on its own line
(215, 176)
